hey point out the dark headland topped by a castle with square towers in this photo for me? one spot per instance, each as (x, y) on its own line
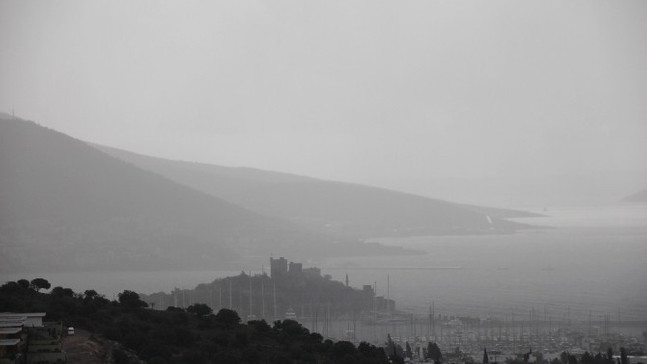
(303, 292)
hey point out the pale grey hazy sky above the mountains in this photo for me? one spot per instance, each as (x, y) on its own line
(504, 103)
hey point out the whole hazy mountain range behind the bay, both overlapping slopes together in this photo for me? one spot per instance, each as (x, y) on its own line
(66, 205)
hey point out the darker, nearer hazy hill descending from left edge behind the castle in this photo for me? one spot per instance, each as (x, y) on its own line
(65, 205)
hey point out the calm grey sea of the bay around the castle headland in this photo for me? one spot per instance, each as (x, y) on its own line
(592, 261)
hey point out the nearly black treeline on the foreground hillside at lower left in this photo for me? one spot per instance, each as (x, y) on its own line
(194, 335)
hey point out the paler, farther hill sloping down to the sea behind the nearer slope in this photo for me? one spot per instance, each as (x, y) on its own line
(345, 209)
